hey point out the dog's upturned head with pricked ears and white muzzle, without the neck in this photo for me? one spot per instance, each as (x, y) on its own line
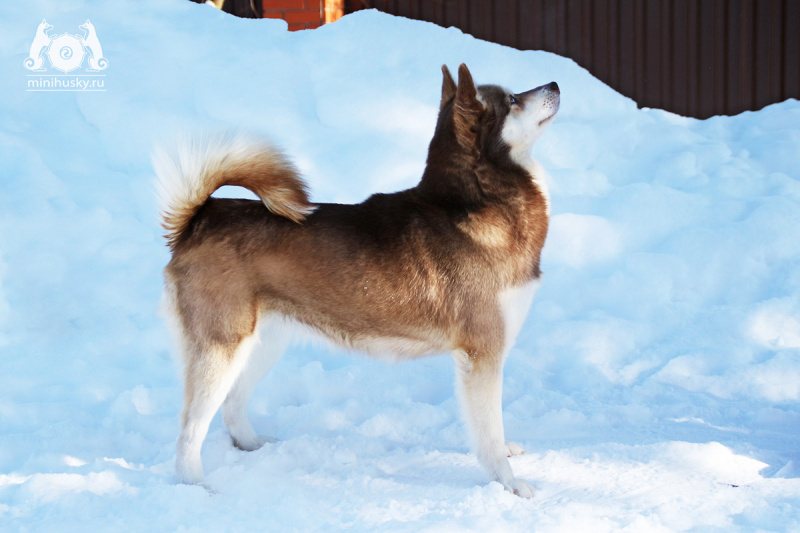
(492, 122)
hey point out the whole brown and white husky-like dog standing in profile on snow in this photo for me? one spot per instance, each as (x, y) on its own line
(450, 265)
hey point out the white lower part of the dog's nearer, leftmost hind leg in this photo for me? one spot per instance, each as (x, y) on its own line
(209, 376)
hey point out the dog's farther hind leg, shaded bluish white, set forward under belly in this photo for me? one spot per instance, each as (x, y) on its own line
(234, 409)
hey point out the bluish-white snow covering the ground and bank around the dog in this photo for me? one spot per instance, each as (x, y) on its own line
(655, 384)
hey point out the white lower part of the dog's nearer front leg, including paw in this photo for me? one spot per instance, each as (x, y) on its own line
(479, 384)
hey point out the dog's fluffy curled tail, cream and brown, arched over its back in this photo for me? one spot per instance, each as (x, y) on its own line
(196, 168)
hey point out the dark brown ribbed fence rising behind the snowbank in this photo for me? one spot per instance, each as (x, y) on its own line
(694, 57)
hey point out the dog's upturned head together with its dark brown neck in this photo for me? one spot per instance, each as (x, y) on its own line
(484, 135)
